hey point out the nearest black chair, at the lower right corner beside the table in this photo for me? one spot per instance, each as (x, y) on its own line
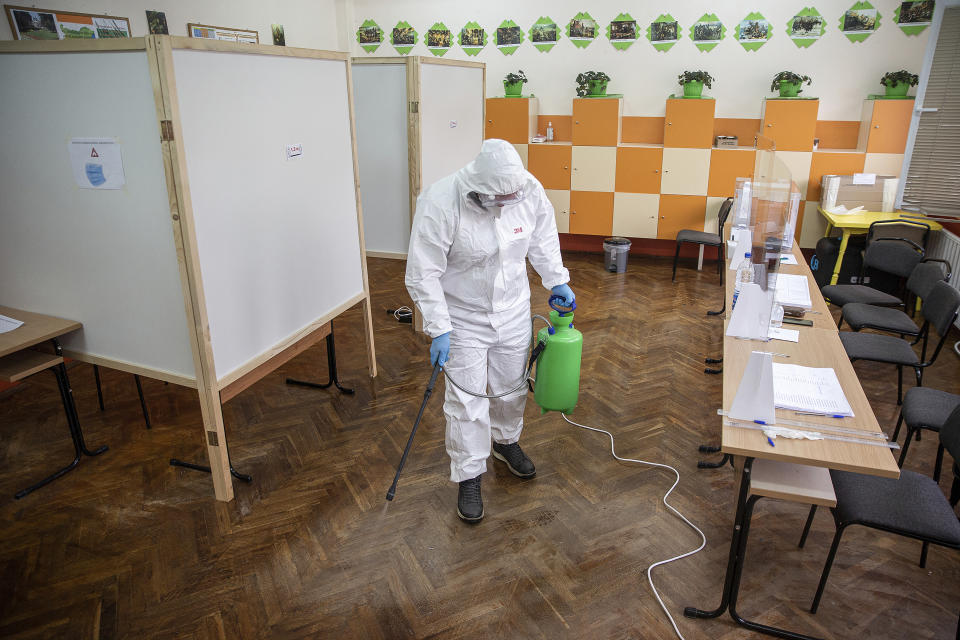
(912, 506)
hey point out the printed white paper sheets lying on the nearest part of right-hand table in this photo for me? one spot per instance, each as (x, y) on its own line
(809, 389)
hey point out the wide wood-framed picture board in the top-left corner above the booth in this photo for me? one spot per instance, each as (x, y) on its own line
(30, 23)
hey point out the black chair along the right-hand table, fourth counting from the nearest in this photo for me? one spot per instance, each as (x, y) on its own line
(867, 316)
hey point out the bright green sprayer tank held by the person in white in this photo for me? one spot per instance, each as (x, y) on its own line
(558, 366)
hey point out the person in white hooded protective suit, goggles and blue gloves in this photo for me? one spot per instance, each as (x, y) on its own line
(467, 274)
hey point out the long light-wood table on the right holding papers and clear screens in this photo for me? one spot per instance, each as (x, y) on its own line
(795, 470)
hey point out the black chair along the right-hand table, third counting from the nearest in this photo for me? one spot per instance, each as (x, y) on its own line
(939, 311)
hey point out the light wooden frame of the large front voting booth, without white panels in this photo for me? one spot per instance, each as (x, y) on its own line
(212, 392)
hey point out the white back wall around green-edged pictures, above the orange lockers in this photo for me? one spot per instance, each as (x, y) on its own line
(843, 73)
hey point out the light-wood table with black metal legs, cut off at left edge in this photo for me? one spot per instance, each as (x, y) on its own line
(18, 359)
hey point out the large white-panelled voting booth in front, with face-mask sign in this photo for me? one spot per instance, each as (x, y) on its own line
(193, 203)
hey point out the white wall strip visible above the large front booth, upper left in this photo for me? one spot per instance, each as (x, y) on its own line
(306, 23)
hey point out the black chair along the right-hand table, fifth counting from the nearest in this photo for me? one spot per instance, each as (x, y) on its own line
(895, 256)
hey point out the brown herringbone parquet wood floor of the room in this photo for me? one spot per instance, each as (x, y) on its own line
(128, 547)
